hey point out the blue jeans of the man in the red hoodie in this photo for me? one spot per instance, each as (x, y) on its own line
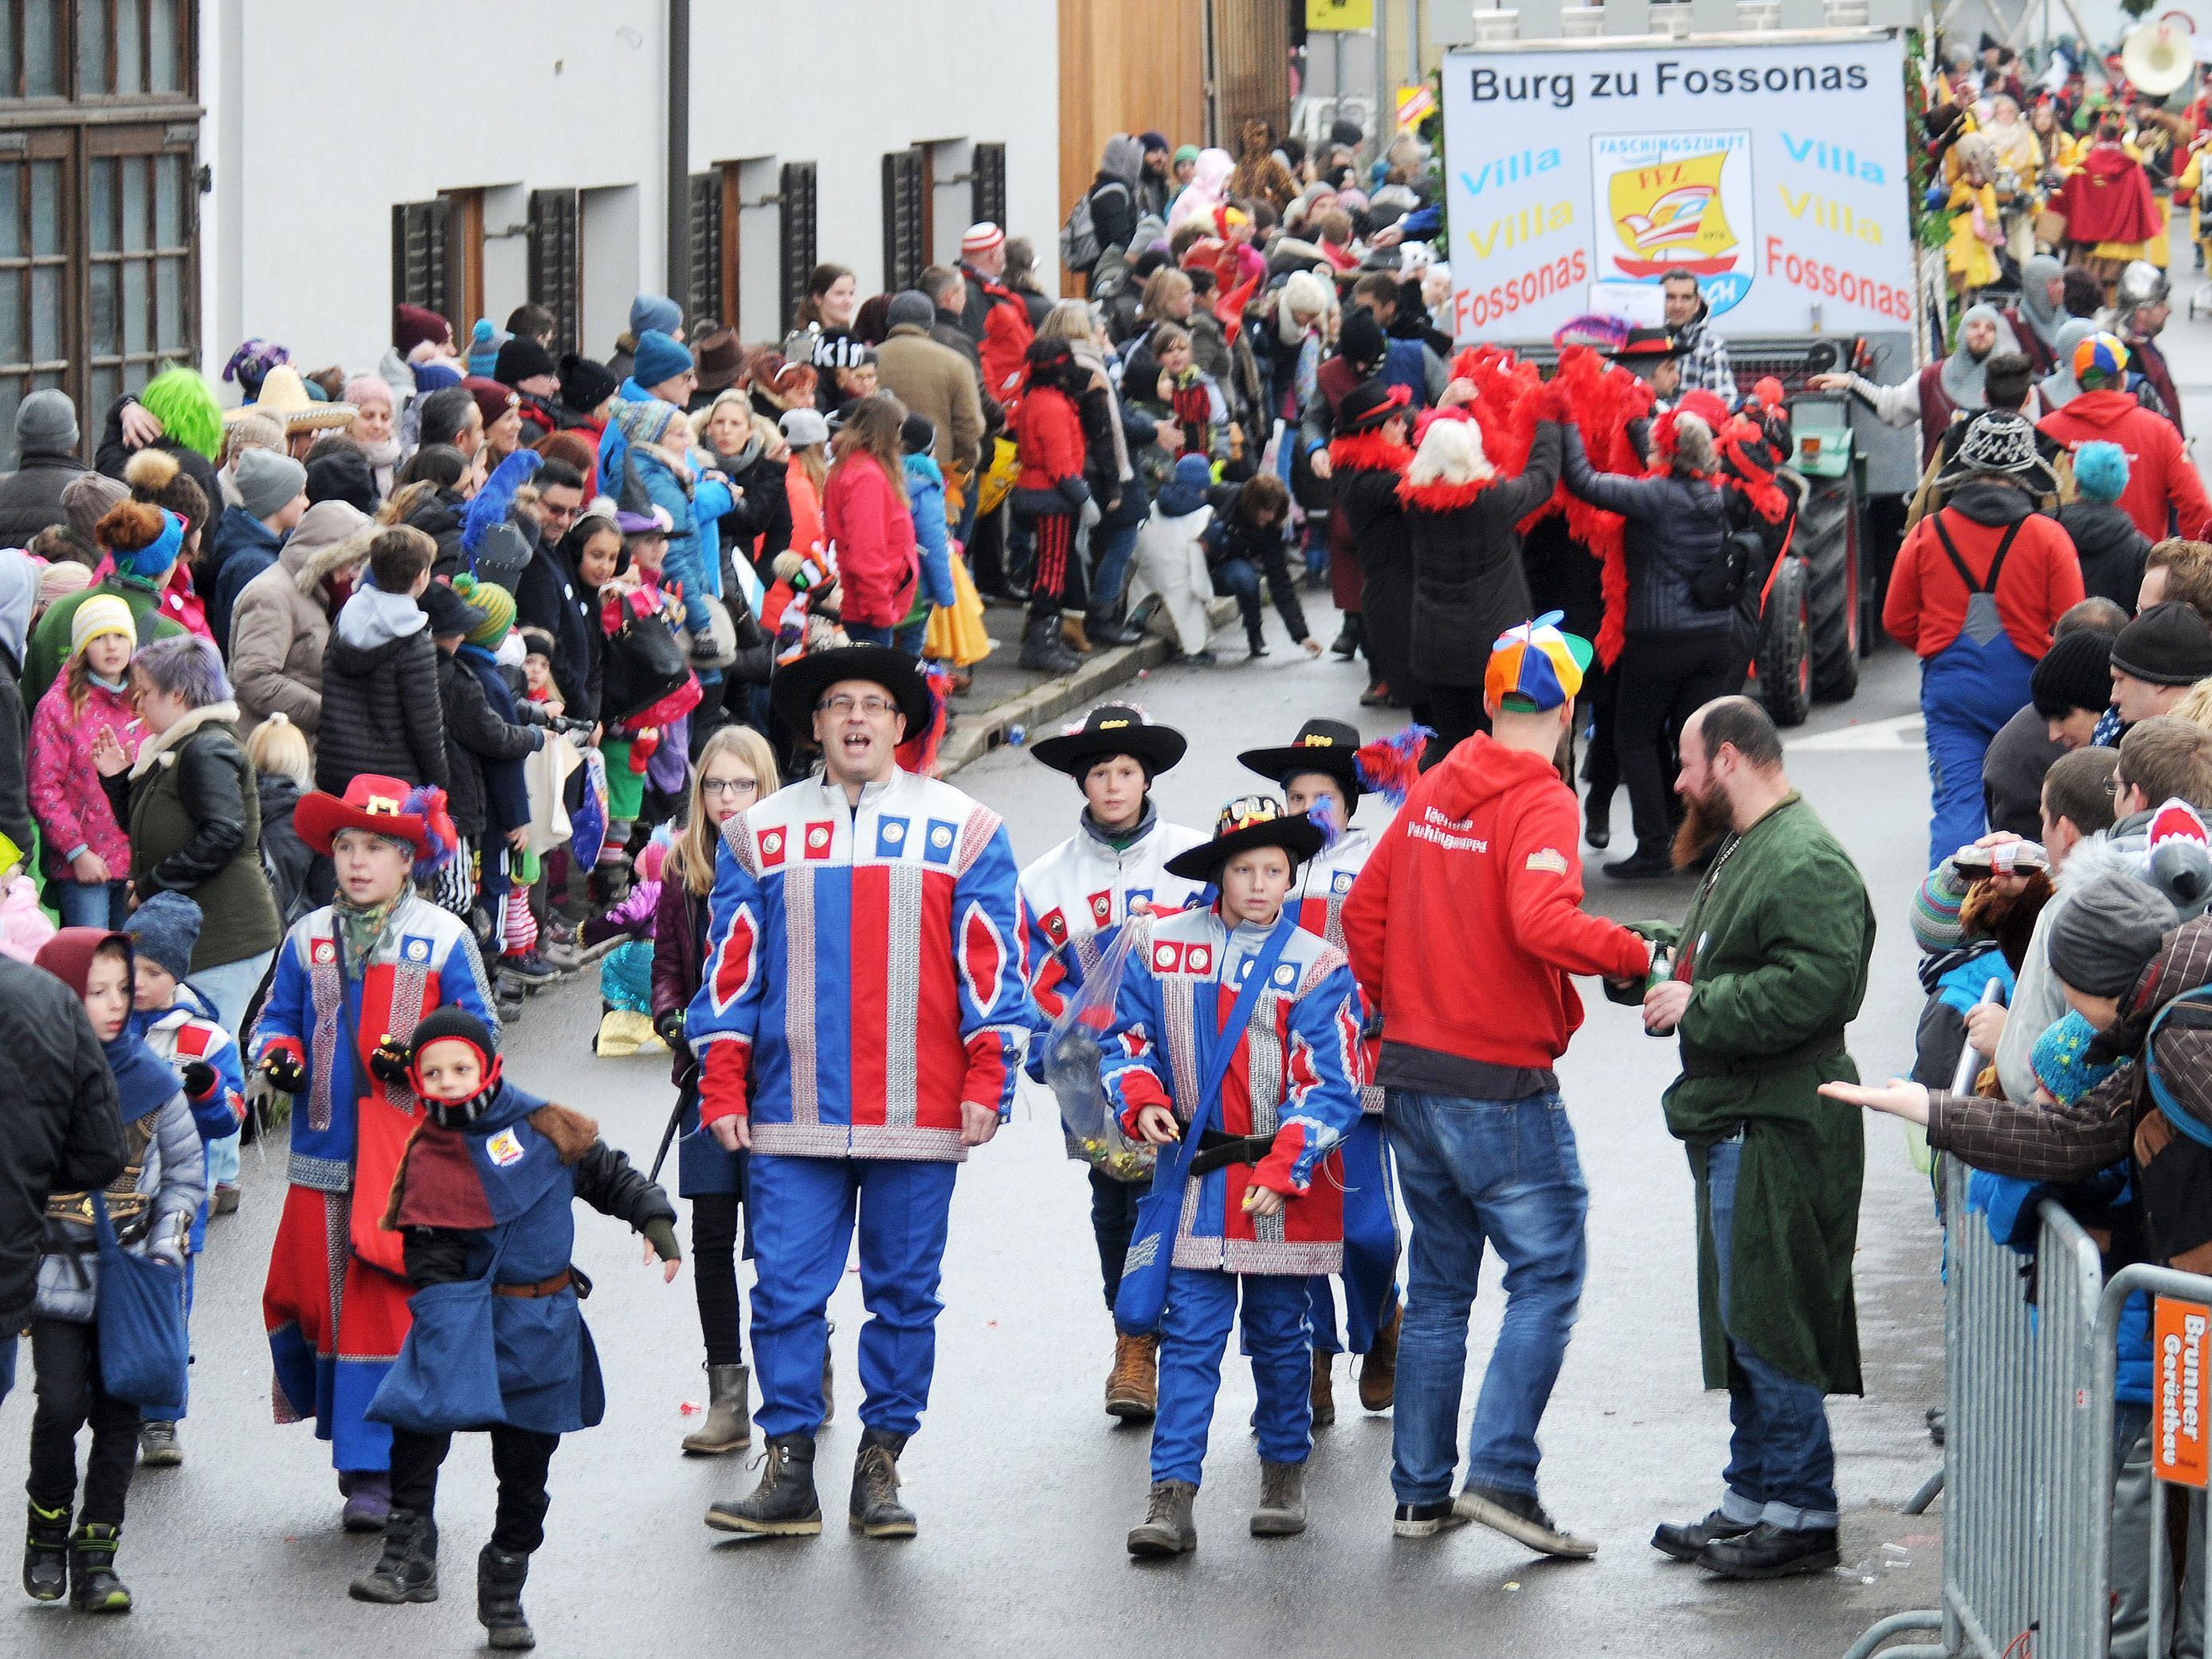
(1472, 1173)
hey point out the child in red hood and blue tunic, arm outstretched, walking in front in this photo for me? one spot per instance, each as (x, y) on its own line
(483, 1196)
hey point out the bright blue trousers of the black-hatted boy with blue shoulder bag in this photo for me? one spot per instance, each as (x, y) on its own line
(1196, 1333)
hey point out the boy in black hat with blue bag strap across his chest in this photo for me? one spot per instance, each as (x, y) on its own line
(1264, 1193)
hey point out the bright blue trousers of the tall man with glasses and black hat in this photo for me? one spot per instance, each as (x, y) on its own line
(804, 1218)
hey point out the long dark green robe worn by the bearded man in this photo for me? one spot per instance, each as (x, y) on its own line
(1777, 948)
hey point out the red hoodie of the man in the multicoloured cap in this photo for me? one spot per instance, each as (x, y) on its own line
(1496, 833)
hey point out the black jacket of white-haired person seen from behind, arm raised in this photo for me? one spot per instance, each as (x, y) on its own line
(1468, 565)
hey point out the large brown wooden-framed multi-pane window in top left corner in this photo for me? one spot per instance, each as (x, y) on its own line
(98, 200)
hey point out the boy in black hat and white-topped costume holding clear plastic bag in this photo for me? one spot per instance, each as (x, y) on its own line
(1076, 901)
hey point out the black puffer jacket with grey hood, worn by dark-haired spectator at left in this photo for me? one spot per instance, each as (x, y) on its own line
(379, 705)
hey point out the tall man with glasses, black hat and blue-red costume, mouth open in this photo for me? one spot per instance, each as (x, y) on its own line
(859, 1030)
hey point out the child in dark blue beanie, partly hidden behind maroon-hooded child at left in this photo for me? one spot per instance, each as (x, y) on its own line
(185, 1032)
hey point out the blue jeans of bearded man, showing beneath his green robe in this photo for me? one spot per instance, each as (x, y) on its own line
(1782, 1468)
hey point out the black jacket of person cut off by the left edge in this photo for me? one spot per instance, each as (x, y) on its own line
(61, 1129)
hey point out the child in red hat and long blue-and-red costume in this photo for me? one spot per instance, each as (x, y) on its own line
(364, 968)
